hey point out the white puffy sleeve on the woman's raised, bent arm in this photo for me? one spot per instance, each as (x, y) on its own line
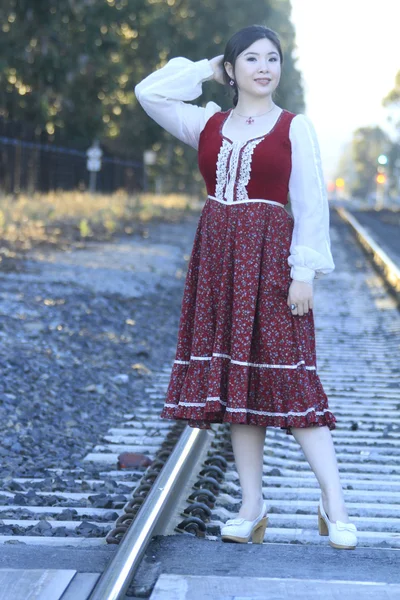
(163, 93)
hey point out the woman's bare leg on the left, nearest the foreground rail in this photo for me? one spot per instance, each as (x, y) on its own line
(248, 450)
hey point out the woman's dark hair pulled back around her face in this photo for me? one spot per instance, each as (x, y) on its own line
(241, 40)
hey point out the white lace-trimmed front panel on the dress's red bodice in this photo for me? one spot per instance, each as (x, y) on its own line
(227, 178)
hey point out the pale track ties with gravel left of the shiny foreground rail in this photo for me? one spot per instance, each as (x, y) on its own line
(36, 511)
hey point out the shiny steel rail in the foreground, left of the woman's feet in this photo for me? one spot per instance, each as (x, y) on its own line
(155, 513)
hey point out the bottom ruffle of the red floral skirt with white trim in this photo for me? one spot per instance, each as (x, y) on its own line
(217, 392)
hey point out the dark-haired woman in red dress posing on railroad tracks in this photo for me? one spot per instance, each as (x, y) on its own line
(246, 342)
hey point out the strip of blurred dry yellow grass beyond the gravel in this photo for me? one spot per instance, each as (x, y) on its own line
(62, 218)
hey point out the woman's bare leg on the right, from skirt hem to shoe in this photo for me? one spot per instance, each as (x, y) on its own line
(317, 445)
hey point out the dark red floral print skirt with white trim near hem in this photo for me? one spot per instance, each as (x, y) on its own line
(242, 357)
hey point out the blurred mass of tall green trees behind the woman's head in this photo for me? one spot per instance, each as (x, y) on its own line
(70, 68)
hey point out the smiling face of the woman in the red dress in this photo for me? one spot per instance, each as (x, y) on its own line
(257, 69)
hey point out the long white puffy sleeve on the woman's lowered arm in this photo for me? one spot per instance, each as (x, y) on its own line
(310, 250)
